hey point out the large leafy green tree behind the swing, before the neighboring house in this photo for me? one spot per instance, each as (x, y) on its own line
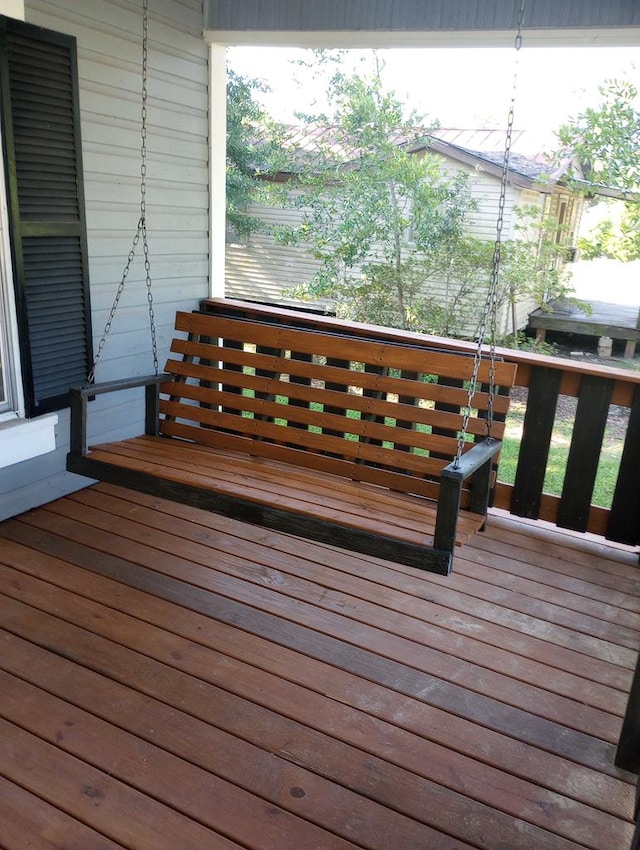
(380, 218)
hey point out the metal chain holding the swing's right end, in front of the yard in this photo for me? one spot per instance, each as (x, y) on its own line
(489, 315)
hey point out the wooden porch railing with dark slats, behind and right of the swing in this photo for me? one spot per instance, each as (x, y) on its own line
(596, 389)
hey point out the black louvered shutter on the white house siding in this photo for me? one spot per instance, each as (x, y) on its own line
(41, 131)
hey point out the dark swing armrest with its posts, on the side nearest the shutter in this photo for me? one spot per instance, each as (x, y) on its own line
(79, 396)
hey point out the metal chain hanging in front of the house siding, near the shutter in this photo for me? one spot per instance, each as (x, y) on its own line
(141, 230)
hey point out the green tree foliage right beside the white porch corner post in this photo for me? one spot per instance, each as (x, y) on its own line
(254, 145)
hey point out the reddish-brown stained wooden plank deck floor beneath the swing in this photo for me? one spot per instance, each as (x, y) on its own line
(172, 679)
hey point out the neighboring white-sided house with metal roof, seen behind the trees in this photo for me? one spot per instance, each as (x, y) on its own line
(259, 269)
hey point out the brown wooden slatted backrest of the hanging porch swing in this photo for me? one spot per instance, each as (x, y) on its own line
(358, 408)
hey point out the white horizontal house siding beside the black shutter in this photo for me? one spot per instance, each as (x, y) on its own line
(108, 33)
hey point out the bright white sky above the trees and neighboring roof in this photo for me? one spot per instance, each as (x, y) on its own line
(460, 87)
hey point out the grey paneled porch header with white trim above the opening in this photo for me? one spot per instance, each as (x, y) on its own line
(406, 22)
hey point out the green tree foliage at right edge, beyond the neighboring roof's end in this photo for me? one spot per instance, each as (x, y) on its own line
(606, 141)
